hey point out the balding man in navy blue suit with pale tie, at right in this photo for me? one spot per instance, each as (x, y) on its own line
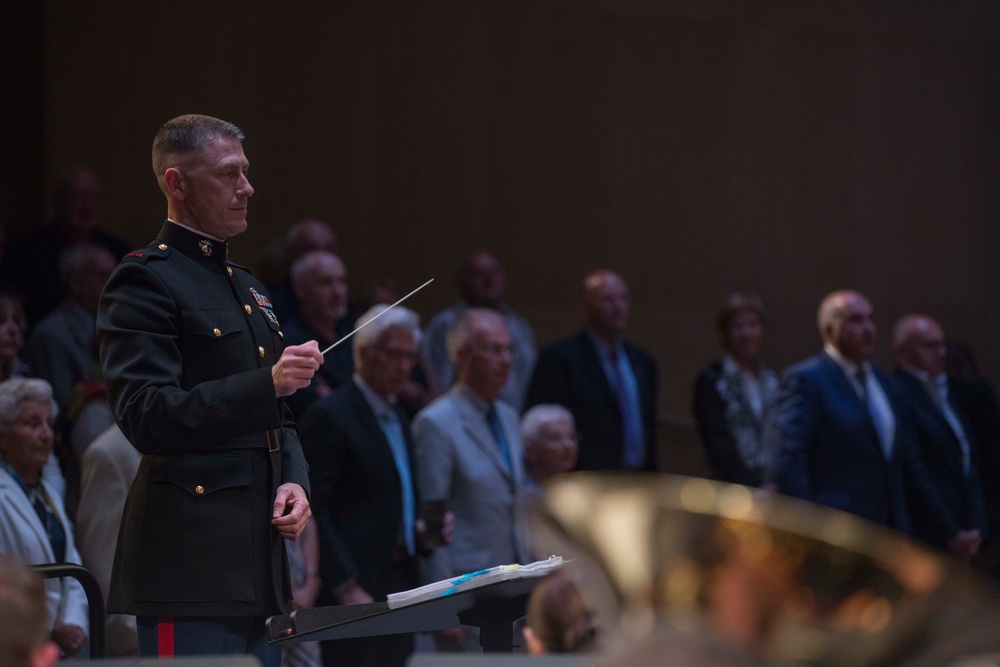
(840, 434)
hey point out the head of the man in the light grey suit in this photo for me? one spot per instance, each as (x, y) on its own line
(480, 348)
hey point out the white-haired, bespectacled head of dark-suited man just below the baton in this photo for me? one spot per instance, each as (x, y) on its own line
(386, 350)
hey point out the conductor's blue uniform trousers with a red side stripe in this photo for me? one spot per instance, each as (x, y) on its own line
(165, 636)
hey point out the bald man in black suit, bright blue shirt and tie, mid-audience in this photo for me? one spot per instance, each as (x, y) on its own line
(608, 384)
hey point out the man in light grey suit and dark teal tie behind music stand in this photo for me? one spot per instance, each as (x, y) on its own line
(469, 456)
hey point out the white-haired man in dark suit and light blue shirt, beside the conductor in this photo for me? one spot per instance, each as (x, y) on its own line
(360, 453)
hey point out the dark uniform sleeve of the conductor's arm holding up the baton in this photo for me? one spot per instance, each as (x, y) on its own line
(139, 326)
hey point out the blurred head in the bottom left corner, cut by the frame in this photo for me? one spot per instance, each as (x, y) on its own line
(24, 632)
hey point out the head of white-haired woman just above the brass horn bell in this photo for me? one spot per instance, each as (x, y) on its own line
(550, 442)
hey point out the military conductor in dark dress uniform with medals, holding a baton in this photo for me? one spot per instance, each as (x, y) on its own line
(197, 374)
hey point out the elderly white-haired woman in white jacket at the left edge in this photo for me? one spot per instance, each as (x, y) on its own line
(33, 524)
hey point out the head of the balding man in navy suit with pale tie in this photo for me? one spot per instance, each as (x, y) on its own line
(846, 321)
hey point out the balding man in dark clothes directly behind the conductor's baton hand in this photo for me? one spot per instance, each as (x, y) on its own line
(319, 279)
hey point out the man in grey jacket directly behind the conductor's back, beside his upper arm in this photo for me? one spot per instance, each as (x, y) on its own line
(62, 348)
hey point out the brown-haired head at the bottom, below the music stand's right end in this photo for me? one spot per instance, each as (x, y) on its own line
(558, 618)
